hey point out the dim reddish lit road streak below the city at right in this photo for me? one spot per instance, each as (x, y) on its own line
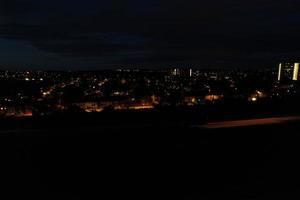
(250, 122)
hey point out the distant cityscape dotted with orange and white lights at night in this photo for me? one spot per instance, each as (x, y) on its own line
(41, 93)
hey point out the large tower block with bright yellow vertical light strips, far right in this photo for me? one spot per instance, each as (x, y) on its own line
(288, 72)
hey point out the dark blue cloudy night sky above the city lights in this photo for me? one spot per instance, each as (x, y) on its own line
(98, 34)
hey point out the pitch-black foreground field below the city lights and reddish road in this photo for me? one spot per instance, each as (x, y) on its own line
(151, 163)
